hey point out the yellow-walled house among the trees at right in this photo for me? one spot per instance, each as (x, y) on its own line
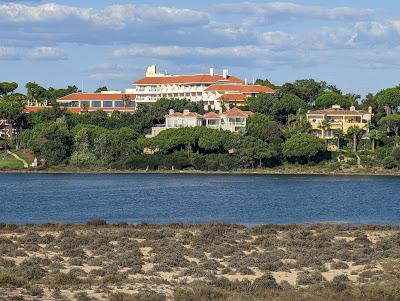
(324, 122)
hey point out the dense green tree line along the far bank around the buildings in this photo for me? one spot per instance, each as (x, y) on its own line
(277, 133)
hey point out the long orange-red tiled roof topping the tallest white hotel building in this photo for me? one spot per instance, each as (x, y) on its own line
(187, 79)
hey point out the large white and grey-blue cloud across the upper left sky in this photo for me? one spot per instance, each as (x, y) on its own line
(54, 23)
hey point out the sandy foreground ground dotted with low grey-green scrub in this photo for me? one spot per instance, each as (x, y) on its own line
(198, 262)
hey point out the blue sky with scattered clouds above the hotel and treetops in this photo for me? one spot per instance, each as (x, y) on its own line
(353, 44)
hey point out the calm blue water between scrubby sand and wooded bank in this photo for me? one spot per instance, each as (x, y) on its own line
(246, 199)
